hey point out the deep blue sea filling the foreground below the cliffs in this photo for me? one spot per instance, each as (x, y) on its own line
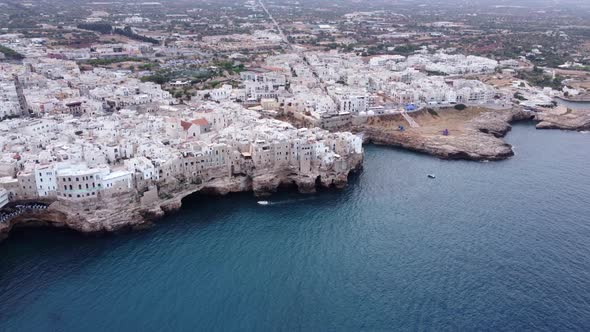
(484, 246)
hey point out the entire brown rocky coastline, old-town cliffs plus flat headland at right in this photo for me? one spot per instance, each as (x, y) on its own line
(479, 138)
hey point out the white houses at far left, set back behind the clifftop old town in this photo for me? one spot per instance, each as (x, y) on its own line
(44, 85)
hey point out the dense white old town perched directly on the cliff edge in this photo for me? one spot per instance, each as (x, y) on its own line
(67, 157)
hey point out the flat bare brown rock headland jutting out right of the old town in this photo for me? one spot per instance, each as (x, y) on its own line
(476, 136)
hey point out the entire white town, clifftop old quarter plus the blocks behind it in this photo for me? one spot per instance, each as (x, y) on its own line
(79, 135)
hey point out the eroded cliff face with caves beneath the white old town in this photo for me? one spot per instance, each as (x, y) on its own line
(128, 211)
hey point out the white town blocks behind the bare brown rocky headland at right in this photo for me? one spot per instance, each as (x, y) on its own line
(330, 89)
